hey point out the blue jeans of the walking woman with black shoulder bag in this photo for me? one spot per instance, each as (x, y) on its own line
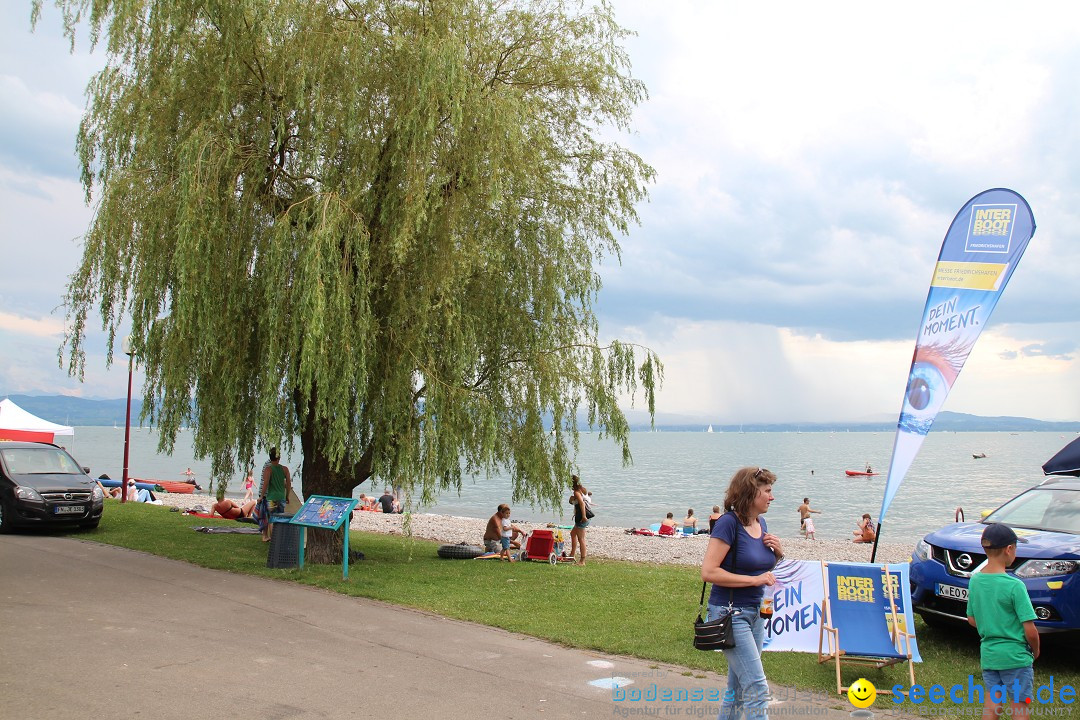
(748, 691)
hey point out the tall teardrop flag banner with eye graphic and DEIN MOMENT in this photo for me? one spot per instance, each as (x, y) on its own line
(981, 251)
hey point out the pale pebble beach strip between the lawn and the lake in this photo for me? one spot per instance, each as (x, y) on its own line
(602, 542)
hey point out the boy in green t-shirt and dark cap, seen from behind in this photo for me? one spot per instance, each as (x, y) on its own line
(1001, 609)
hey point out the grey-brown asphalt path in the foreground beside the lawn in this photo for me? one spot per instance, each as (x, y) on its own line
(93, 632)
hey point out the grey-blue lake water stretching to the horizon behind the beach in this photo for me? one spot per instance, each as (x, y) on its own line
(673, 472)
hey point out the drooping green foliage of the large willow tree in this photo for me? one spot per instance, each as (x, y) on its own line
(372, 225)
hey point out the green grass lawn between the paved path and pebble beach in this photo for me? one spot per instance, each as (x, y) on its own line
(614, 607)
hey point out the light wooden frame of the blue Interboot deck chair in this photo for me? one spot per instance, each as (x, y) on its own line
(831, 630)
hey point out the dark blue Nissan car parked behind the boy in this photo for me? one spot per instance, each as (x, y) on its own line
(1048, 519)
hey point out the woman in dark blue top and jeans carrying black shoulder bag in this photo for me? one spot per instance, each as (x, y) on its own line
(741, 581)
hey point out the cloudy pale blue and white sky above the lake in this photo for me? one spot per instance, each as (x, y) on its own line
(811, 158)
